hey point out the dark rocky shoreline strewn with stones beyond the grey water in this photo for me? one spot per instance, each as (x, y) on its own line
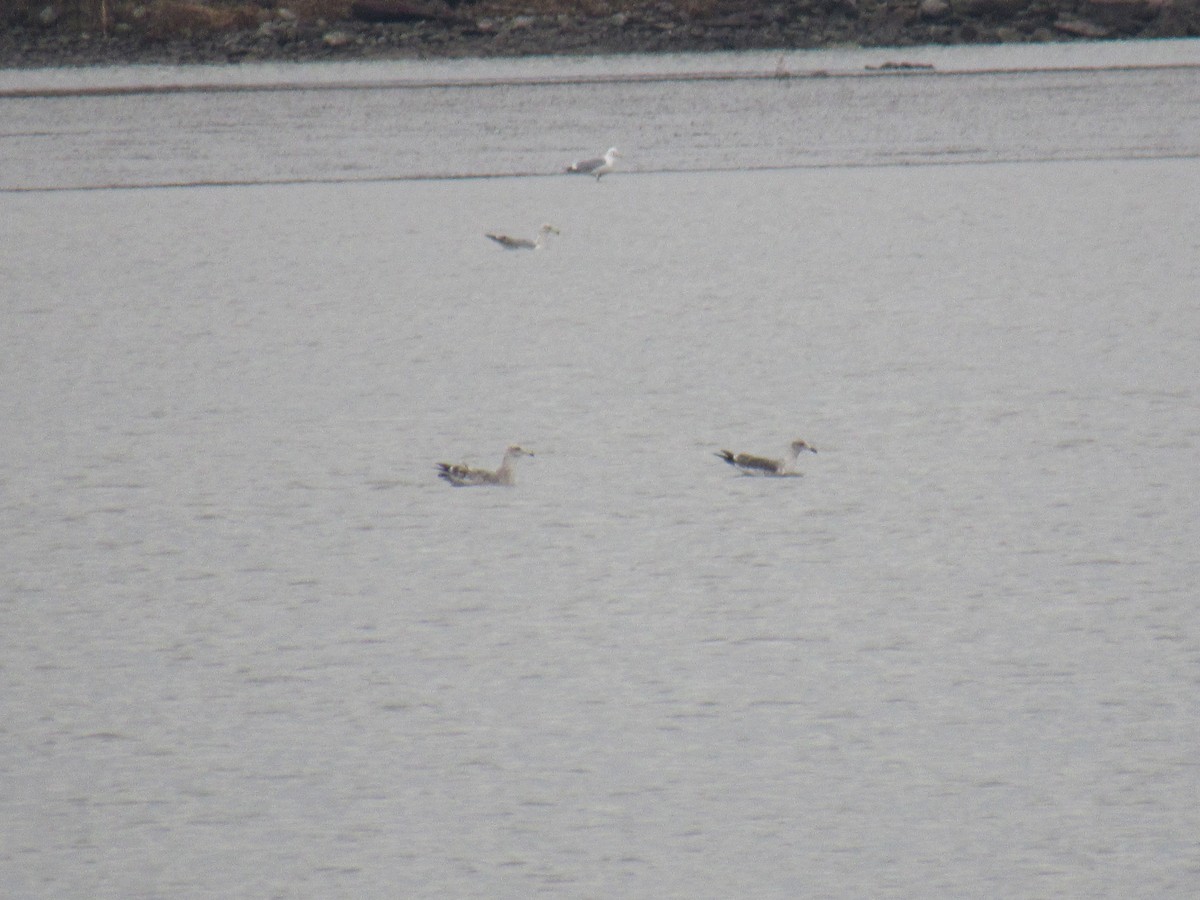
(421, 29)
